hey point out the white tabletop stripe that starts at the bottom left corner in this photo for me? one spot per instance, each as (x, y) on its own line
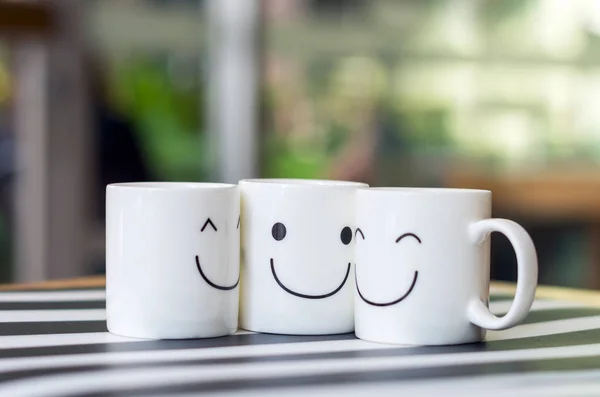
(299, 373)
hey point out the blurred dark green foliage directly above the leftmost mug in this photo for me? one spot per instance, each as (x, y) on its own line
(168, 118)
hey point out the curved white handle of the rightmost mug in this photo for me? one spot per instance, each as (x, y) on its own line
(527, 271)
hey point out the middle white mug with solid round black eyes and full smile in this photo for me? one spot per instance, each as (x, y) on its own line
(297, 255)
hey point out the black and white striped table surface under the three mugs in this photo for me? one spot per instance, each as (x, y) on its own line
(55, 343)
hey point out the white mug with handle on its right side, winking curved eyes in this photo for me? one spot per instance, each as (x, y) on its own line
(423, 266)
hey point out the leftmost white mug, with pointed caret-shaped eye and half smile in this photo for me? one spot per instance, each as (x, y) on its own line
(172, 259)
